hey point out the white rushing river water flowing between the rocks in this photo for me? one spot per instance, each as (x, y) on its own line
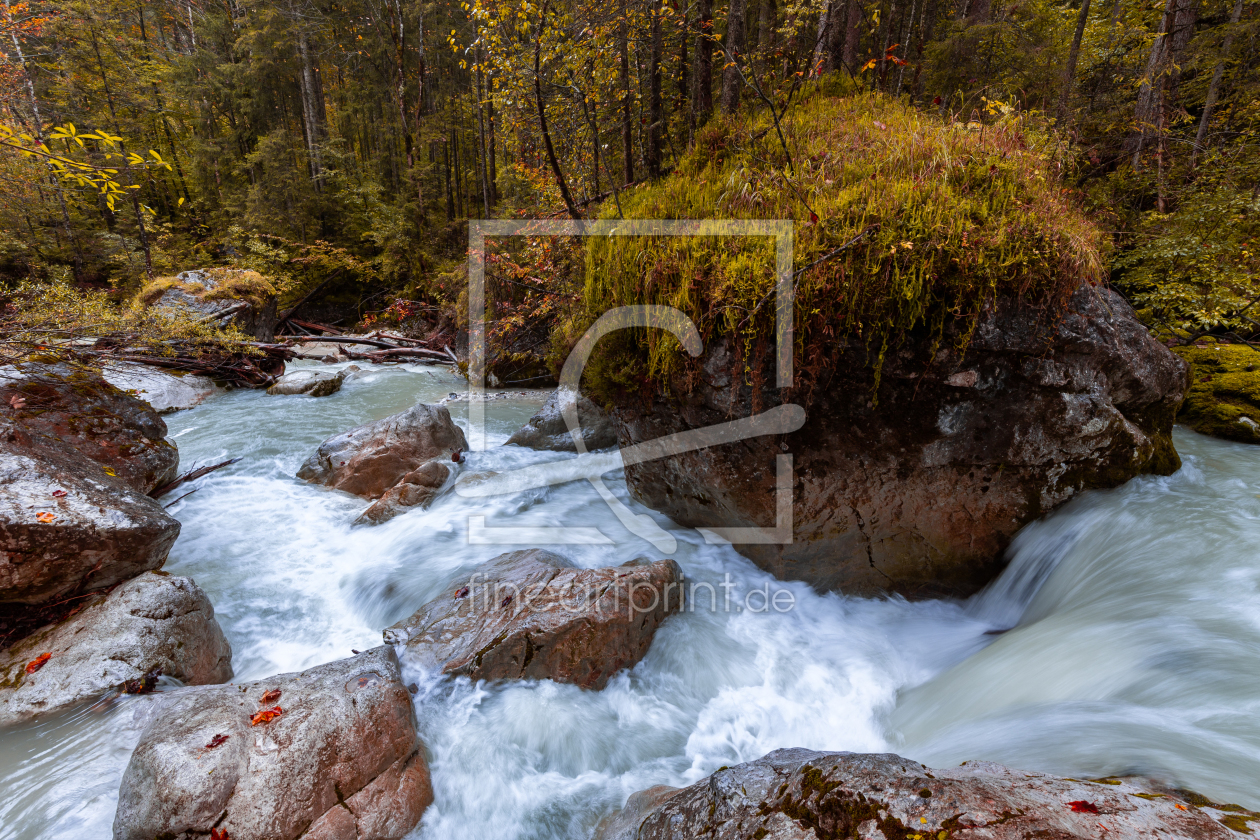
(1125, 637)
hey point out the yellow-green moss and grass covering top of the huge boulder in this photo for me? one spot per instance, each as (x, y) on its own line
(939, 220)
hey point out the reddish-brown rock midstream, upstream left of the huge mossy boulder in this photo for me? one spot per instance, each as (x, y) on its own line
(371, 459)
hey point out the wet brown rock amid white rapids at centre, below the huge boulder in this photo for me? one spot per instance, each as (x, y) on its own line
(532, 615)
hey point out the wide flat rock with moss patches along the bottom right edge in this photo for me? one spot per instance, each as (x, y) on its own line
(806, 795)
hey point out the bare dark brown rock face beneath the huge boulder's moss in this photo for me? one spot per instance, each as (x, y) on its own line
(920, 492)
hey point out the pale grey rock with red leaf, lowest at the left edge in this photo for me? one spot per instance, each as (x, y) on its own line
(152, 625)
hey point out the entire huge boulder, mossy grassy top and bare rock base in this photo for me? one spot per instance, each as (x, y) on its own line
(962, 367)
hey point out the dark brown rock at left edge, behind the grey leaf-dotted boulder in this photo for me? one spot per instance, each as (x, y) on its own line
(70, 406)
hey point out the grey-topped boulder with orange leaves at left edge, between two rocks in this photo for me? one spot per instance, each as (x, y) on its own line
(67, 527)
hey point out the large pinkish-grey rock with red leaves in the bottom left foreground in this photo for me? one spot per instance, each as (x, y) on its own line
(342, 761)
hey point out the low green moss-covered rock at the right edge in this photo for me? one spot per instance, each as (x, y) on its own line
(1224, 397)
